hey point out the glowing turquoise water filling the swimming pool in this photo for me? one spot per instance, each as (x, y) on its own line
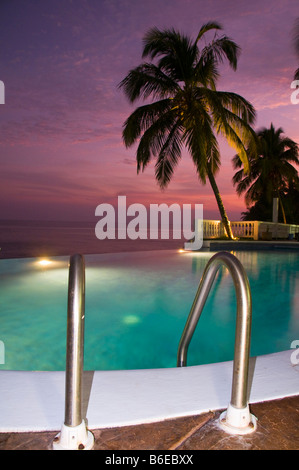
(136, 308)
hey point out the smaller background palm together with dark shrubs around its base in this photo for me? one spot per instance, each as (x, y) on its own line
(272, 174)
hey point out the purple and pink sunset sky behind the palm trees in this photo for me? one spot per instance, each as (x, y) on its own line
(61, 150)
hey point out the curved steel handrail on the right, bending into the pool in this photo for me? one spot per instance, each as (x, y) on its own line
(237, 419)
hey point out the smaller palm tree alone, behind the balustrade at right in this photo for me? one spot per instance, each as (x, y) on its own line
(271, 169)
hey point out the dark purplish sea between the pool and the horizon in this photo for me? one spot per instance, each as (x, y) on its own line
(25, 238)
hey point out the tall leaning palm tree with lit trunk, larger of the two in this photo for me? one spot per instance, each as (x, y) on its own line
(186, 110)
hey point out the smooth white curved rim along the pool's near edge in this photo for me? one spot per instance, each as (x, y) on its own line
(34, 401)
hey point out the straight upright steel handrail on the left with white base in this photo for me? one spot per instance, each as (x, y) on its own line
(74, 434)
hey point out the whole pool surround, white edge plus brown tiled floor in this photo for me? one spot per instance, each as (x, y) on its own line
(164, 409)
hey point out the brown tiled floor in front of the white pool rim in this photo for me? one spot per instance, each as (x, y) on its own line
(278, 429)
